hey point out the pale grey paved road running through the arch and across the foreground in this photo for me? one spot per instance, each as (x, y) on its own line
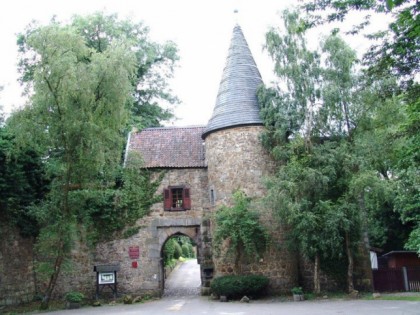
(181, 298)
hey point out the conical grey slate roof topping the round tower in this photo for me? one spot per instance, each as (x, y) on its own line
(236, 103)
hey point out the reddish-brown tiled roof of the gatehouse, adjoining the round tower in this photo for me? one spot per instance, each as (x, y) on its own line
(177, 147)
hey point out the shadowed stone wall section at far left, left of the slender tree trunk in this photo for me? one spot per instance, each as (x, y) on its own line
(17, 283)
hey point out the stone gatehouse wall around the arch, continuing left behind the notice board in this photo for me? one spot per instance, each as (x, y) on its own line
(142, 275)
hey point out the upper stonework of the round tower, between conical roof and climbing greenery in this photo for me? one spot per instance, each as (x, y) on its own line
(236, 159)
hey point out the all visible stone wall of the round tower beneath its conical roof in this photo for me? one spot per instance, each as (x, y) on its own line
(237, 160)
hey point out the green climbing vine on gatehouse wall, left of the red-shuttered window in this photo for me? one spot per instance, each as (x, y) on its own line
(112, 213)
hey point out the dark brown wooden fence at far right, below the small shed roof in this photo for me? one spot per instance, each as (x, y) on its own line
(392, 280)
